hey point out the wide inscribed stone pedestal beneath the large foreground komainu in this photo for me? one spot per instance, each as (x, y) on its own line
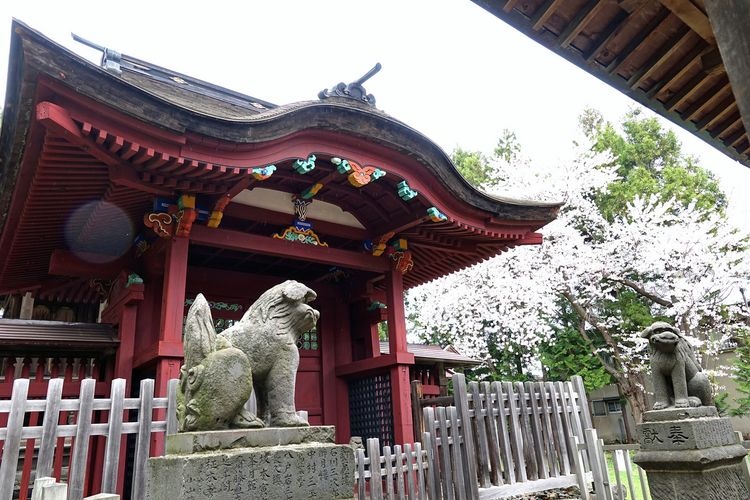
(289, 463)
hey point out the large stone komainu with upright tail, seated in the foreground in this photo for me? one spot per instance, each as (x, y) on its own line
(258, 352)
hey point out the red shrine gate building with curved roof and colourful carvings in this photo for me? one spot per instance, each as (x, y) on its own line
(128, 188)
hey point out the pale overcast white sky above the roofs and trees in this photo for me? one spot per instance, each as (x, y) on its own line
(450, 69)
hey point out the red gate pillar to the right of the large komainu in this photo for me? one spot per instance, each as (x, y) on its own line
(403, 428)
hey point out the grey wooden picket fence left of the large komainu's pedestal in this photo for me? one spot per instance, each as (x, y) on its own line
(46, 447)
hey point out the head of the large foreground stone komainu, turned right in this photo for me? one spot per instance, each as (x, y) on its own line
(287, 304)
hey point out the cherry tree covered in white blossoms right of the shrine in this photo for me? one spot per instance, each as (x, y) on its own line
(653, 256)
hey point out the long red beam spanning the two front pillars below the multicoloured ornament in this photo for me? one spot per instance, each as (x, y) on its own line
(253, 243)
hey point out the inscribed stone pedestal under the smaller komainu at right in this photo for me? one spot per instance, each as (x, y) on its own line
(691, 454)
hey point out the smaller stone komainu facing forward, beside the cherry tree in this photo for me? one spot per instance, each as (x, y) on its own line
(678, 378)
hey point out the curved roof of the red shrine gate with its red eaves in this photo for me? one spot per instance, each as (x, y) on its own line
(76, 135)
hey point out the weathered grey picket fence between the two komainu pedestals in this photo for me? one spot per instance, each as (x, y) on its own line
(520, 438)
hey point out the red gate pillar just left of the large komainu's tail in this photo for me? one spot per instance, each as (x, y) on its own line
(170, 326)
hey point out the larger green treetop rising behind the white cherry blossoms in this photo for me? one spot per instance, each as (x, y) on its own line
(650, 161)
